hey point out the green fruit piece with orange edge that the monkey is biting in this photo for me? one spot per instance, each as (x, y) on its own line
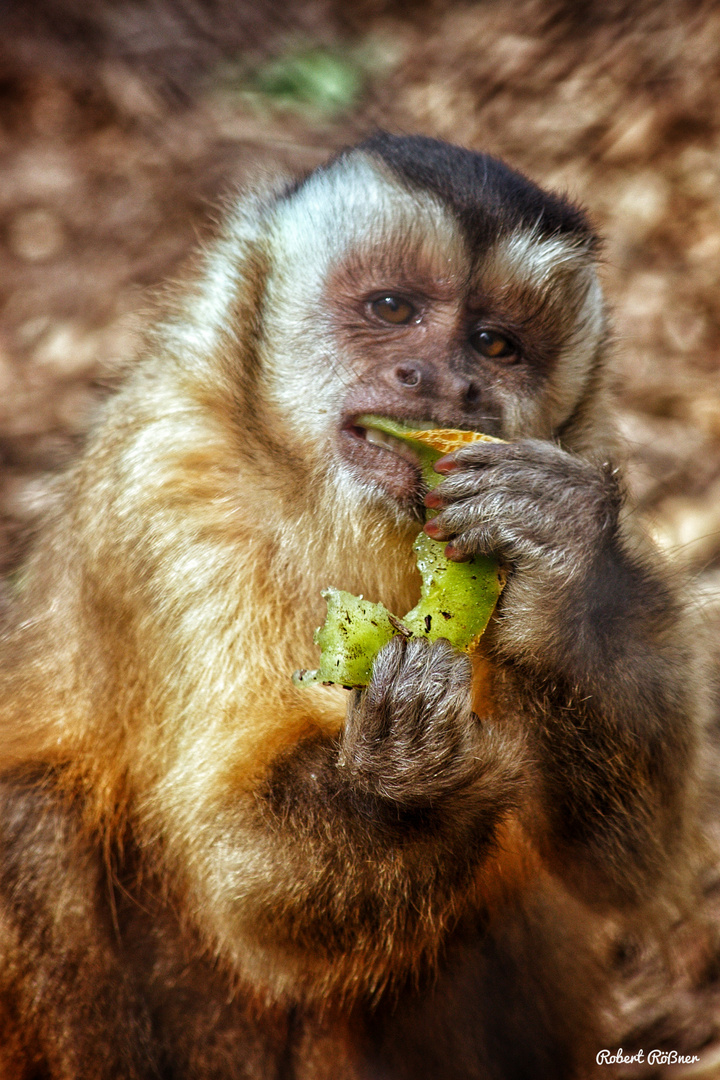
(456, 599)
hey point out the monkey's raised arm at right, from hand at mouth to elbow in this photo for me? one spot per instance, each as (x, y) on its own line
(591, 642)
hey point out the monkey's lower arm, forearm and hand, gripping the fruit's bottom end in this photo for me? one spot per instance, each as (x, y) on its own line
(388, 823)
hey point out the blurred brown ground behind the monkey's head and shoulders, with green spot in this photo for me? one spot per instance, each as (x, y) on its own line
(125, 124)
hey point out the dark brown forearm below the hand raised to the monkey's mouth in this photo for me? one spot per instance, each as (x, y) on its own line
(609, 685)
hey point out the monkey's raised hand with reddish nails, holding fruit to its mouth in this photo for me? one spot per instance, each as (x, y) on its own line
(551, 517)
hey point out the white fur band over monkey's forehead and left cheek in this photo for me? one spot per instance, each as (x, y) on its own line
(355, 207)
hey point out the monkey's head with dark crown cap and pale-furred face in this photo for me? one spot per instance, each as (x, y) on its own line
(456, 296)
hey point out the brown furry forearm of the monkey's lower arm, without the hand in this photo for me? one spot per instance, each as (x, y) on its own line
(384, 831)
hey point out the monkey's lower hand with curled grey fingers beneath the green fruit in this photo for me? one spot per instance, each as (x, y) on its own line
(412, 736)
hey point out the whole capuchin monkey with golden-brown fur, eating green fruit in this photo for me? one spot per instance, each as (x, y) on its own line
(208, 872)
